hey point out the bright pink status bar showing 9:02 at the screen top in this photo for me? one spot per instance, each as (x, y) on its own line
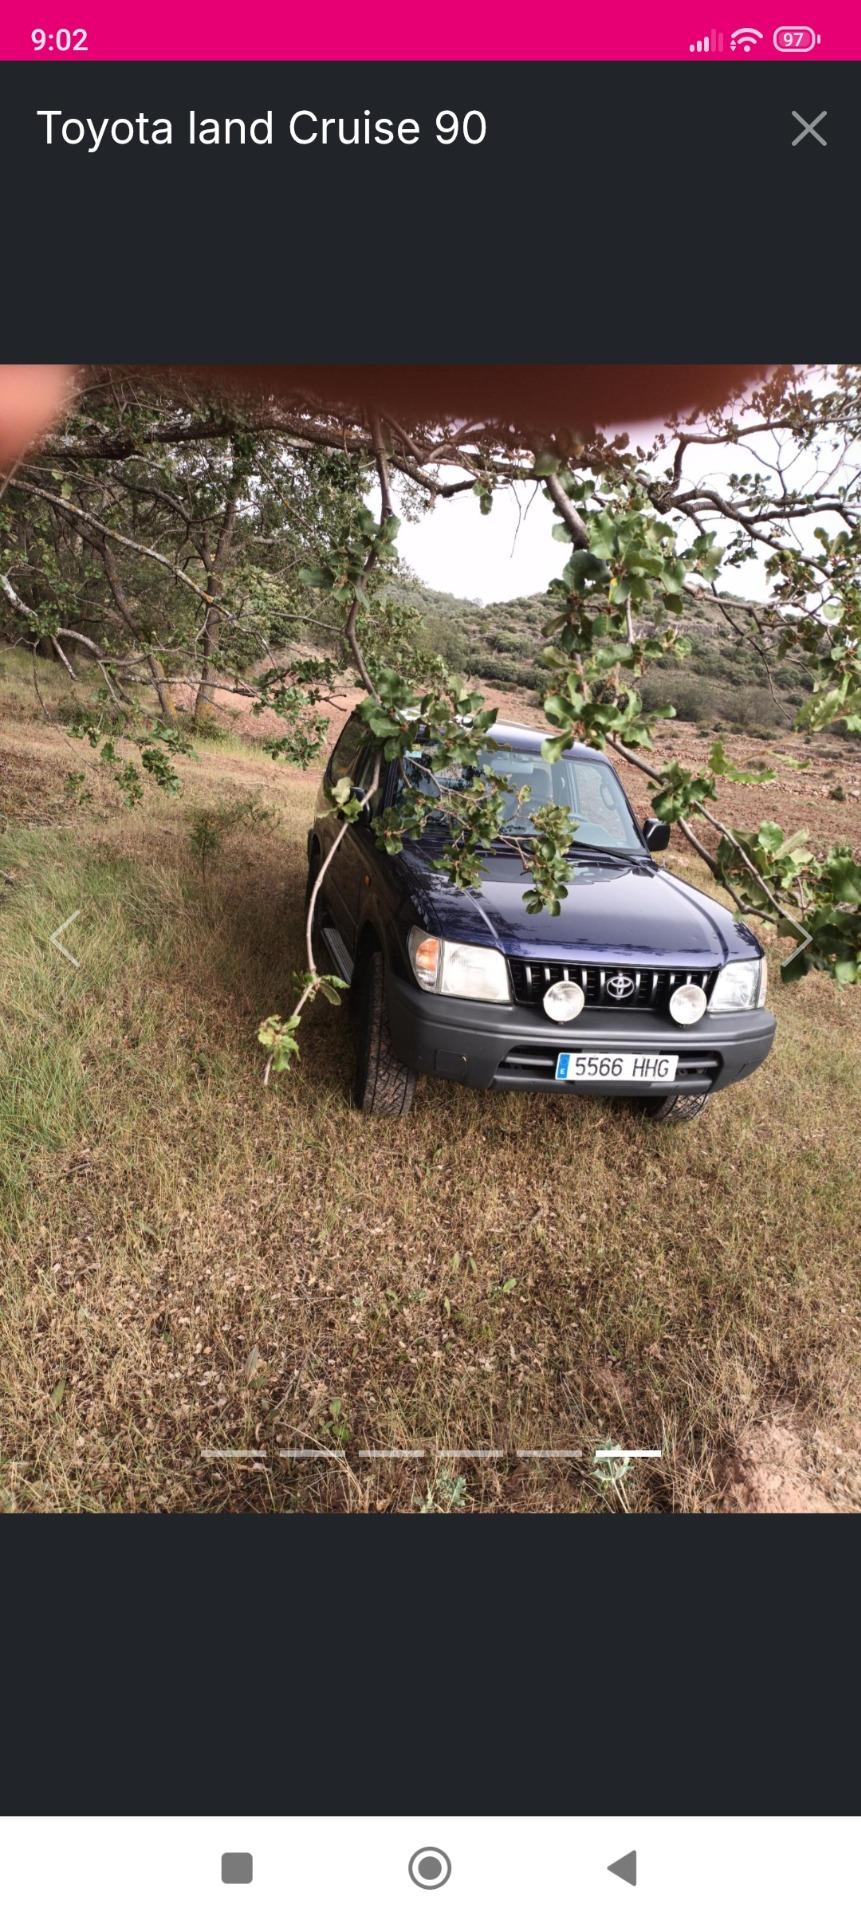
(55, 34)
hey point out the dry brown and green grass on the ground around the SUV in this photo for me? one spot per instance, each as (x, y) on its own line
(195, 1262)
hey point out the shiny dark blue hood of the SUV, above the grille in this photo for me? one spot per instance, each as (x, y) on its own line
(637, 915)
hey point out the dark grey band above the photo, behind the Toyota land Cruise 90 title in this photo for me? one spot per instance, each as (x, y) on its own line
(629, 212)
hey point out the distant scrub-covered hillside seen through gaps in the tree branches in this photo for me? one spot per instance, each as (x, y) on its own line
(724, 679)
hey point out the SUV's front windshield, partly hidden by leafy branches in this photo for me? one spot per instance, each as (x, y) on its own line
(587, 788)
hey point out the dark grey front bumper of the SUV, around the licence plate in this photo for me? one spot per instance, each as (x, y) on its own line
(512, 1047)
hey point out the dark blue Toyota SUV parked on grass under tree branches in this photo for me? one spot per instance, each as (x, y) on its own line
(641, 988)
